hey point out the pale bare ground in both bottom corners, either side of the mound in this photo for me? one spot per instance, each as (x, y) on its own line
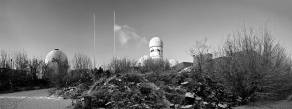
(39, 99)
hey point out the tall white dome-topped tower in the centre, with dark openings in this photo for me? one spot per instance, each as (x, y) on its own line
(156, 48)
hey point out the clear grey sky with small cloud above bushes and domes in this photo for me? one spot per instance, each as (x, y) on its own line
(39, 26)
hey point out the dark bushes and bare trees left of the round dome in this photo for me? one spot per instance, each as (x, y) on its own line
(20, 73)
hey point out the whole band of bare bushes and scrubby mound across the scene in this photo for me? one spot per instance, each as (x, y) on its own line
(250, 67)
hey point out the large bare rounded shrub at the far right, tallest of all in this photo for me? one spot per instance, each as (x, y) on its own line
(254, 66)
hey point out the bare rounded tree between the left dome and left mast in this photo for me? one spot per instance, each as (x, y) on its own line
(81, 61)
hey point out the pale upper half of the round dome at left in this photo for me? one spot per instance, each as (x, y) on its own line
(56, 55)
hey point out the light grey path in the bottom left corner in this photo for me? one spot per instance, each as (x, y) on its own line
(35, 99)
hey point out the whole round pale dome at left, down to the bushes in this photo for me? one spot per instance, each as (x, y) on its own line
(55, 59)
